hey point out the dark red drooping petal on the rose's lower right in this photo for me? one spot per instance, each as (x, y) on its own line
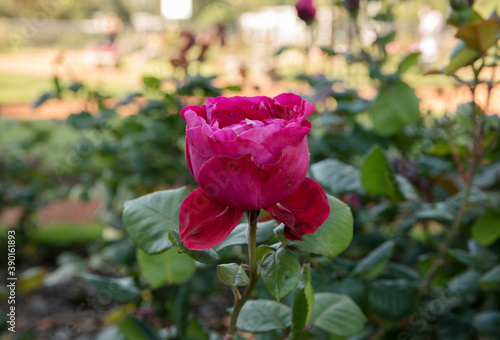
(304, 211)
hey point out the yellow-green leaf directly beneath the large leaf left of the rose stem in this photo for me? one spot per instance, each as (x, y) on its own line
(169, 267)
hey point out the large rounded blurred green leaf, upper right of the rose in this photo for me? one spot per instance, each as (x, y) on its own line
(395, 107)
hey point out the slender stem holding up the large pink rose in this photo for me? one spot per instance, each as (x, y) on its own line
(252, 216)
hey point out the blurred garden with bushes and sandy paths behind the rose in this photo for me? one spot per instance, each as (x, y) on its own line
(90, 94)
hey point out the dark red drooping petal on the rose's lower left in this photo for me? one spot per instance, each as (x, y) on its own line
(204, 222)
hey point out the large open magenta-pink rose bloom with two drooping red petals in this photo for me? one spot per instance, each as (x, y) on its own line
(249, 153)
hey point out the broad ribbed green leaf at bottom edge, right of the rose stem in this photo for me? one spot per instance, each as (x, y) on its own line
(337, 314)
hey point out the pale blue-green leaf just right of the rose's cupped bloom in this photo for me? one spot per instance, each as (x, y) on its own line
(337, 177)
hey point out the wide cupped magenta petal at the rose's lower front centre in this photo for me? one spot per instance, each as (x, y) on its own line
(241, 183)
